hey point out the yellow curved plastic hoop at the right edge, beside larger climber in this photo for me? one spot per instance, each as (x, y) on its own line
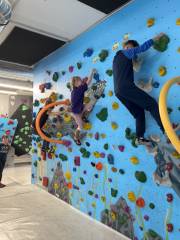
(164, 113)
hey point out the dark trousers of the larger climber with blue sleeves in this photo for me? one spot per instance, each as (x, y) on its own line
(137, 101)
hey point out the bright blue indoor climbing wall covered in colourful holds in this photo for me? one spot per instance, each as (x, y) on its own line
(134, 190)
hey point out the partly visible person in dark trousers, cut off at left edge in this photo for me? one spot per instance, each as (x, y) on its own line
(4, 148)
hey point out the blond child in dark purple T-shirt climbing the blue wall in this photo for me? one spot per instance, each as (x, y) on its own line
(78, 108)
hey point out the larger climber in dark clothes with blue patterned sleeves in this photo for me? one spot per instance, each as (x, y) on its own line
(133, 98)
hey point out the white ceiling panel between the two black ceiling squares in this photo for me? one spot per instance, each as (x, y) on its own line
(64, 19)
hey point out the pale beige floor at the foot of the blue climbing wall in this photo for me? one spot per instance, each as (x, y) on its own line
(29, 213)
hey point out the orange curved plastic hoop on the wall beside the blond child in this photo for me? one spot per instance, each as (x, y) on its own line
(39, 131)
